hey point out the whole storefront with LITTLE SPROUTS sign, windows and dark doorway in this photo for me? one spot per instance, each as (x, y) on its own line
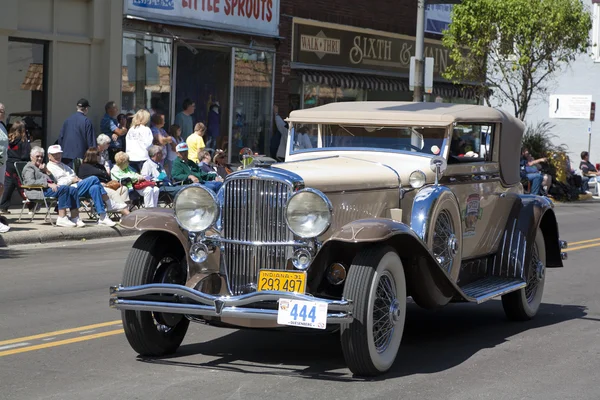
(218, 53)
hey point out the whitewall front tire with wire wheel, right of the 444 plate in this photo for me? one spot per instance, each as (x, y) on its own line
(377, 286)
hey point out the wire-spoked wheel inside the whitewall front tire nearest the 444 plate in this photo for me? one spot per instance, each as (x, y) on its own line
(385, 312)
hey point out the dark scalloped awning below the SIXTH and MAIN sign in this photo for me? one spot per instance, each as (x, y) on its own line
(383, 83)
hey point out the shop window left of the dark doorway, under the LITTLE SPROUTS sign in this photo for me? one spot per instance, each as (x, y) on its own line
(146, 74)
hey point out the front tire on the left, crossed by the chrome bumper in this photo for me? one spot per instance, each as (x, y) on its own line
(154, 258)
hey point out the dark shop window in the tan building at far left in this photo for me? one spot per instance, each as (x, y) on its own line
(26, 87)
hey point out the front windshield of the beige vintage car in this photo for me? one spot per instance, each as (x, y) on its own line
(426, 140)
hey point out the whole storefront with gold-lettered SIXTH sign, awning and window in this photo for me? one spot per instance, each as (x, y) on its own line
(332, 63)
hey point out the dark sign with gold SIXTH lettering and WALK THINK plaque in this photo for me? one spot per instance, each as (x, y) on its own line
(323, 45)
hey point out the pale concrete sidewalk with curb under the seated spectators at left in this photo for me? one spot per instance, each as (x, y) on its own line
(38, 231)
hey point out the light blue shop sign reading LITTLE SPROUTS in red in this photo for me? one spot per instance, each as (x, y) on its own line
(247, 16)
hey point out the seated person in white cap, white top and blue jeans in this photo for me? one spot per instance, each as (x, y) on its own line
(88, 187)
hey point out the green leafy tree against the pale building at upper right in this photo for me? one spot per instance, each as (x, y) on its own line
(519, 44)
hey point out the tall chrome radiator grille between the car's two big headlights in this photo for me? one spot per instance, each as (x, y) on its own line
(253, 210)
